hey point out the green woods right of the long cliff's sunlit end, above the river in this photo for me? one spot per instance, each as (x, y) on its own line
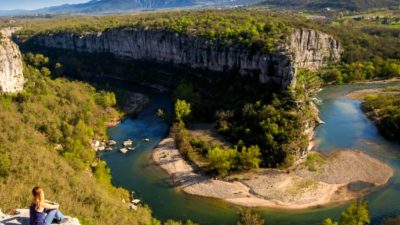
(371, 47)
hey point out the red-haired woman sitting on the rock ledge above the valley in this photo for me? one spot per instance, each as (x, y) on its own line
(43, 212)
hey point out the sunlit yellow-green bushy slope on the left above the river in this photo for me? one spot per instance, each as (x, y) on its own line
(31, 124)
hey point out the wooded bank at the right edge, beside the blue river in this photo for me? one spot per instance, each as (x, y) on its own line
(384, 110)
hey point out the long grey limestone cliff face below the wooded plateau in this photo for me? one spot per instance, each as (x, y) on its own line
(304, 48)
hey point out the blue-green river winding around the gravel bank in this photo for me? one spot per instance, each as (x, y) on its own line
(346, 127)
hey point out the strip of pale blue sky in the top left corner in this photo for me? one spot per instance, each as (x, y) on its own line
(34, 4)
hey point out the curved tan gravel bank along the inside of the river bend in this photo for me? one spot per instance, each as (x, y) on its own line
(344, 176)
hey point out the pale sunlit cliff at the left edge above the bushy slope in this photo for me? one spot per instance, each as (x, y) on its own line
(11, 69)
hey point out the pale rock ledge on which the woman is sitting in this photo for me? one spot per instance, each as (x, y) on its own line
(21, 217)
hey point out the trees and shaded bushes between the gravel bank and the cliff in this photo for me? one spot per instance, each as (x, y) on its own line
(266, 129)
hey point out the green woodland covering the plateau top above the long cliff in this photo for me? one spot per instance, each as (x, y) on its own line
(256, 31)
